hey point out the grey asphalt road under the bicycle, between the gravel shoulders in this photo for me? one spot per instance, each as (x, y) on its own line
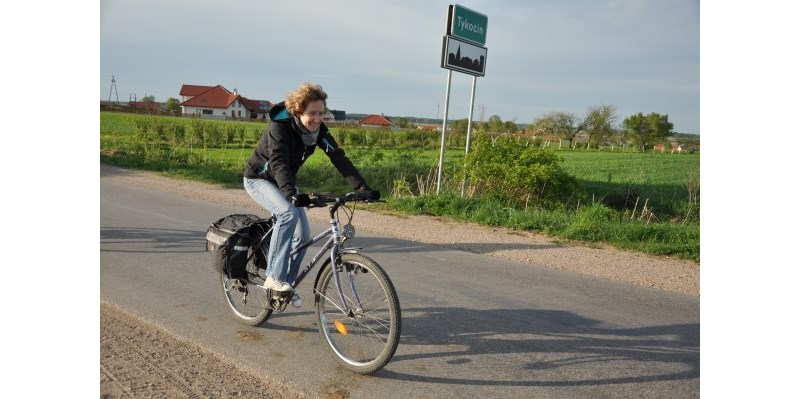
(473, 325)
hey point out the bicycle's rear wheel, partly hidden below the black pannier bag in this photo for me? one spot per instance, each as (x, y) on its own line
(249, 304)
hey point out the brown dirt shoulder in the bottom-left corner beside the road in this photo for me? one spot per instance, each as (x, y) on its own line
(139, 360)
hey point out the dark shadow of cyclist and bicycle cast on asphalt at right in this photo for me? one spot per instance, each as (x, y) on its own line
(556, 348)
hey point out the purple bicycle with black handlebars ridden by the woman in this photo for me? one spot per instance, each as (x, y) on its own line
(356, 305)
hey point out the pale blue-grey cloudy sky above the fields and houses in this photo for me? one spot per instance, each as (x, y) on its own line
(384, 56)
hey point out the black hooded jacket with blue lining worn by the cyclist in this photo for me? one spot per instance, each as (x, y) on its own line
(281, 152)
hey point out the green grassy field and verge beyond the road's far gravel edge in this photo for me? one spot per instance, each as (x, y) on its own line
(646, 202)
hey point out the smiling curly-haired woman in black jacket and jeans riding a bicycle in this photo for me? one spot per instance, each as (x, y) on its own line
(270, 178)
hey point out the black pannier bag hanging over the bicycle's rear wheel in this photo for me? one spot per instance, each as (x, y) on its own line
(228, 240)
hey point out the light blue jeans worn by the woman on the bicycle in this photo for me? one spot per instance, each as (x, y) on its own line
(291, 229)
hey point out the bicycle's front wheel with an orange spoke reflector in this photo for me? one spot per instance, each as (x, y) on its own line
(365, 333)
